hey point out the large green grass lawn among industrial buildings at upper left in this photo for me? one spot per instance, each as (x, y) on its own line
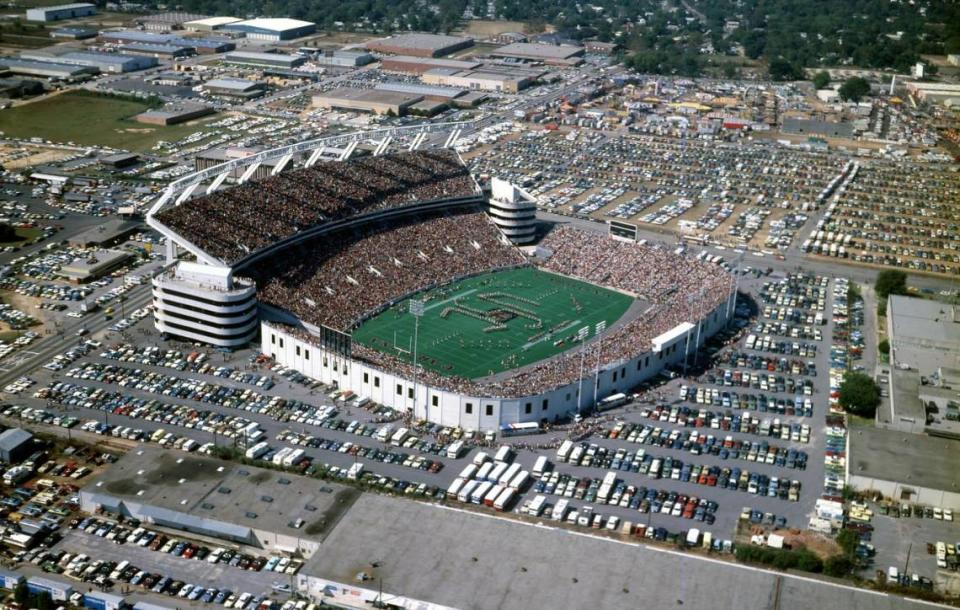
(88, 118)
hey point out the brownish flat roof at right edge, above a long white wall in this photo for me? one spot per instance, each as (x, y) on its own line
(911, 459)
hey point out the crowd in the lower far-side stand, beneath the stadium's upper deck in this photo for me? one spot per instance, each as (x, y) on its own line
(337, 279)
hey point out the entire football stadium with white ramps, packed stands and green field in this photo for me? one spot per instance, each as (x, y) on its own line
(376, 263)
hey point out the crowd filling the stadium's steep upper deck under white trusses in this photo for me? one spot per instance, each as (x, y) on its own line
(231, 223)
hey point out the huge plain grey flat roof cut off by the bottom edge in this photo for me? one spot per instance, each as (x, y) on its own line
(465, 560)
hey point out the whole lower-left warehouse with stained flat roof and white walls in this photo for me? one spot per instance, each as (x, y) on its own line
(240, 504)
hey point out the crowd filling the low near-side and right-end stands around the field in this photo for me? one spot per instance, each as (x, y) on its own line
(680, 289)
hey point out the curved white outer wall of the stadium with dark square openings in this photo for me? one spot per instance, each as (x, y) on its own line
(476, 412)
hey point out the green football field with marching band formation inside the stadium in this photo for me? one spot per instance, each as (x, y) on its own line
(494, 322)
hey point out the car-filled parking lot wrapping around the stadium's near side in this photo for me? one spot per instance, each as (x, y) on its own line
(748, 430)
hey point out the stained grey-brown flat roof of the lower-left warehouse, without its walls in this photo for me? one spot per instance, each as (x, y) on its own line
(224, 491)
